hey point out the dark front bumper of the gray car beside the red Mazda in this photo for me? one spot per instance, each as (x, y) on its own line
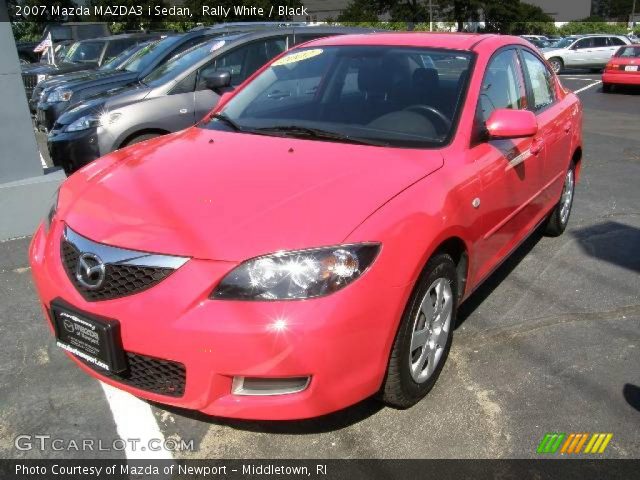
(73, 150)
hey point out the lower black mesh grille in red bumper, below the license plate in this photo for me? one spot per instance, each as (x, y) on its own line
(155, 375)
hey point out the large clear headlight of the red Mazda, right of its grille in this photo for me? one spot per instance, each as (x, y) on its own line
(297, 274)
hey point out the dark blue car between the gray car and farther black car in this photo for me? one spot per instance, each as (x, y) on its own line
(132, 71)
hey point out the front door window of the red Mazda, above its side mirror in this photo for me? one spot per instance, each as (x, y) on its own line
(502, 85)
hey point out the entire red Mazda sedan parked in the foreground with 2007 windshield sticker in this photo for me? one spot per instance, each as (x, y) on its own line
(307, 244)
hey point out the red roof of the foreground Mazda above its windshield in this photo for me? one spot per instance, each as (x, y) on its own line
(452, 41)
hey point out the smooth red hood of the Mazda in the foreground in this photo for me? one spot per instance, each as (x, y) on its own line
(227, 196)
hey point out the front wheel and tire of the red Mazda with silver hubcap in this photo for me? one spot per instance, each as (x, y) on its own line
(407, 380)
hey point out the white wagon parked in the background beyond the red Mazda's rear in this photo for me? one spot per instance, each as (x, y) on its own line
(591, 51)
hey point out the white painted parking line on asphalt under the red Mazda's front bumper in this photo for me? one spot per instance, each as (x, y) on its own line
(135, 420)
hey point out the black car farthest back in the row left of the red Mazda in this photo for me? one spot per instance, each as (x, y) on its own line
(82, 55)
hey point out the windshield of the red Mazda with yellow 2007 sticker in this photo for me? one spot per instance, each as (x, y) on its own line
(382, 95)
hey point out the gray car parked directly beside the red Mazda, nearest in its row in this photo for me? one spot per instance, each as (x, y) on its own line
(174, 96)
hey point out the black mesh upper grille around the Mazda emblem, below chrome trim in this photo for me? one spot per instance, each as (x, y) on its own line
(120, 279)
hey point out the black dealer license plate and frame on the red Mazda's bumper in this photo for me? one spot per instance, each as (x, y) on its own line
(94, 339)
